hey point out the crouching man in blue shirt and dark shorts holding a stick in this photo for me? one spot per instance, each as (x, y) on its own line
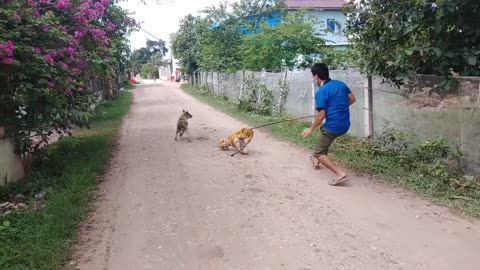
(332, 102)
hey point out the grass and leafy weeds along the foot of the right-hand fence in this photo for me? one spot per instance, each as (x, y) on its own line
(424, 168)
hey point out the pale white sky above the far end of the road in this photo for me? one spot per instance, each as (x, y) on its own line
(161, 19)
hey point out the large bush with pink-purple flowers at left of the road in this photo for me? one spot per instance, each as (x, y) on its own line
(48, 51)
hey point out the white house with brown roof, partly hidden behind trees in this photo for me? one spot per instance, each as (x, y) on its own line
(328, 15)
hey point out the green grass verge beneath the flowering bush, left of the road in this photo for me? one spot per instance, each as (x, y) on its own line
(42, 239)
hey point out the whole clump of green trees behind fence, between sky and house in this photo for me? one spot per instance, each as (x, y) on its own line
(293, 44)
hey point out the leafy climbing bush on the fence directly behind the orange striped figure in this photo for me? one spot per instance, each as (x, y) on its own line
(255, 98)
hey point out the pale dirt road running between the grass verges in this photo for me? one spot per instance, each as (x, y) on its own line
(179, 205)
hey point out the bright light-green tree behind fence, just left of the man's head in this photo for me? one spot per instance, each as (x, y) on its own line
(293, 44)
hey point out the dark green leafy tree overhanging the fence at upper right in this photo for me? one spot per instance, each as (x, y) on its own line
(396, 38)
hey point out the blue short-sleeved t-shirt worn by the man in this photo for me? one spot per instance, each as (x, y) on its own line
(333, 98)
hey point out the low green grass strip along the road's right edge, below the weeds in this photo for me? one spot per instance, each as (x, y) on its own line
(427, 180)
